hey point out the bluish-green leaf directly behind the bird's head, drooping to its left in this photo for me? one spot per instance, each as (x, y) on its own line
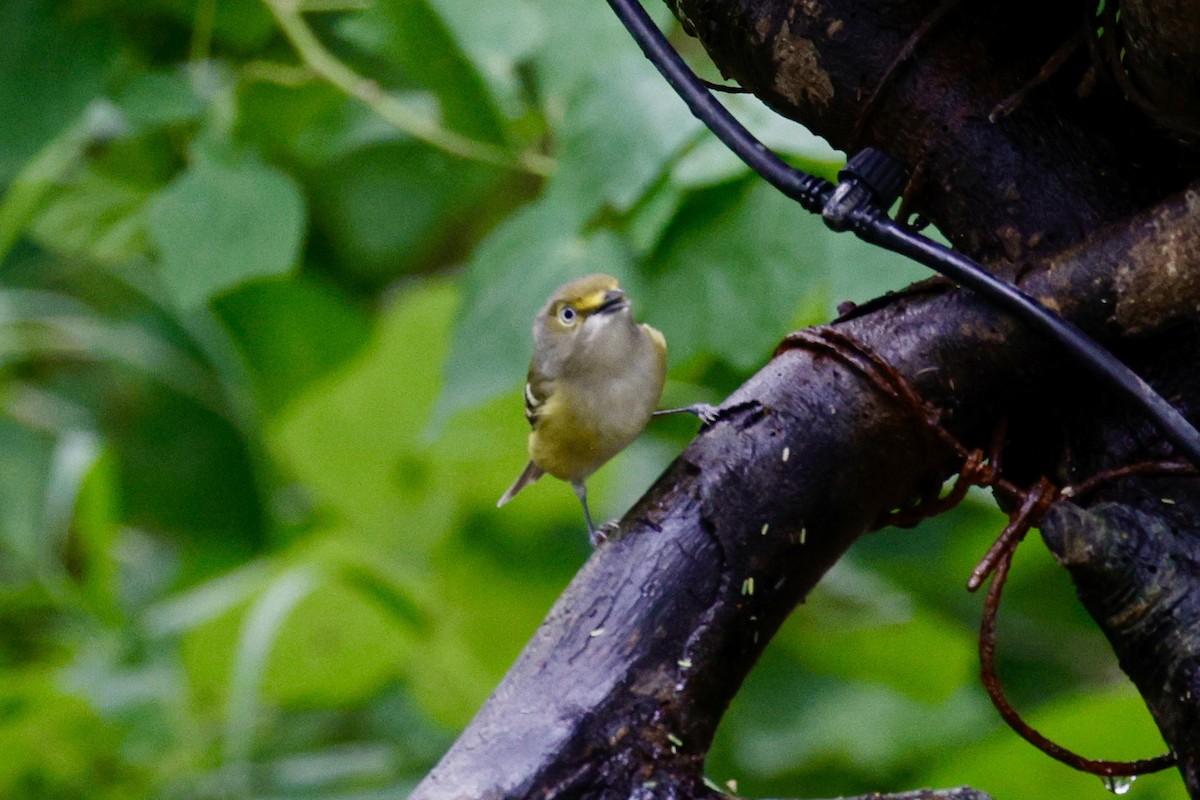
(509, 278)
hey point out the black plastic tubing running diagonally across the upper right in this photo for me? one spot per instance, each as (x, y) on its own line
(874, 226)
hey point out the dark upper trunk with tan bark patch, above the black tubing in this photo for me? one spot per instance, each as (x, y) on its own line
(1030, 184)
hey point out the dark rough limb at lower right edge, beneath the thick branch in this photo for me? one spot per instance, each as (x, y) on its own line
(1135, 552)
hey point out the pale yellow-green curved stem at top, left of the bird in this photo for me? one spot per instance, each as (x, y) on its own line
(323, 63)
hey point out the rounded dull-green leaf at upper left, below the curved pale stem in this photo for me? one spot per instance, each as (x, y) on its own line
(219, 225)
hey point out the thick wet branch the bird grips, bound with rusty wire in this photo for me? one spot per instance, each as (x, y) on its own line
(626, 682)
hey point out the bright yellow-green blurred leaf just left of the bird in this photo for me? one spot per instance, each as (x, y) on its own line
(353, 441)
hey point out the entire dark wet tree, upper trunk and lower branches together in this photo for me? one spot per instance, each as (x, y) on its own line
(620, 693)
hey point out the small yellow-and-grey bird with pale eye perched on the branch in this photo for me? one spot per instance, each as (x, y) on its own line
(595, 382)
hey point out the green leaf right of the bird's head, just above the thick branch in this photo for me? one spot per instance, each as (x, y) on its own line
(731, 272)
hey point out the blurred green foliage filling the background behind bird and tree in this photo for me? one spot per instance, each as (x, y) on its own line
(265, 309)
